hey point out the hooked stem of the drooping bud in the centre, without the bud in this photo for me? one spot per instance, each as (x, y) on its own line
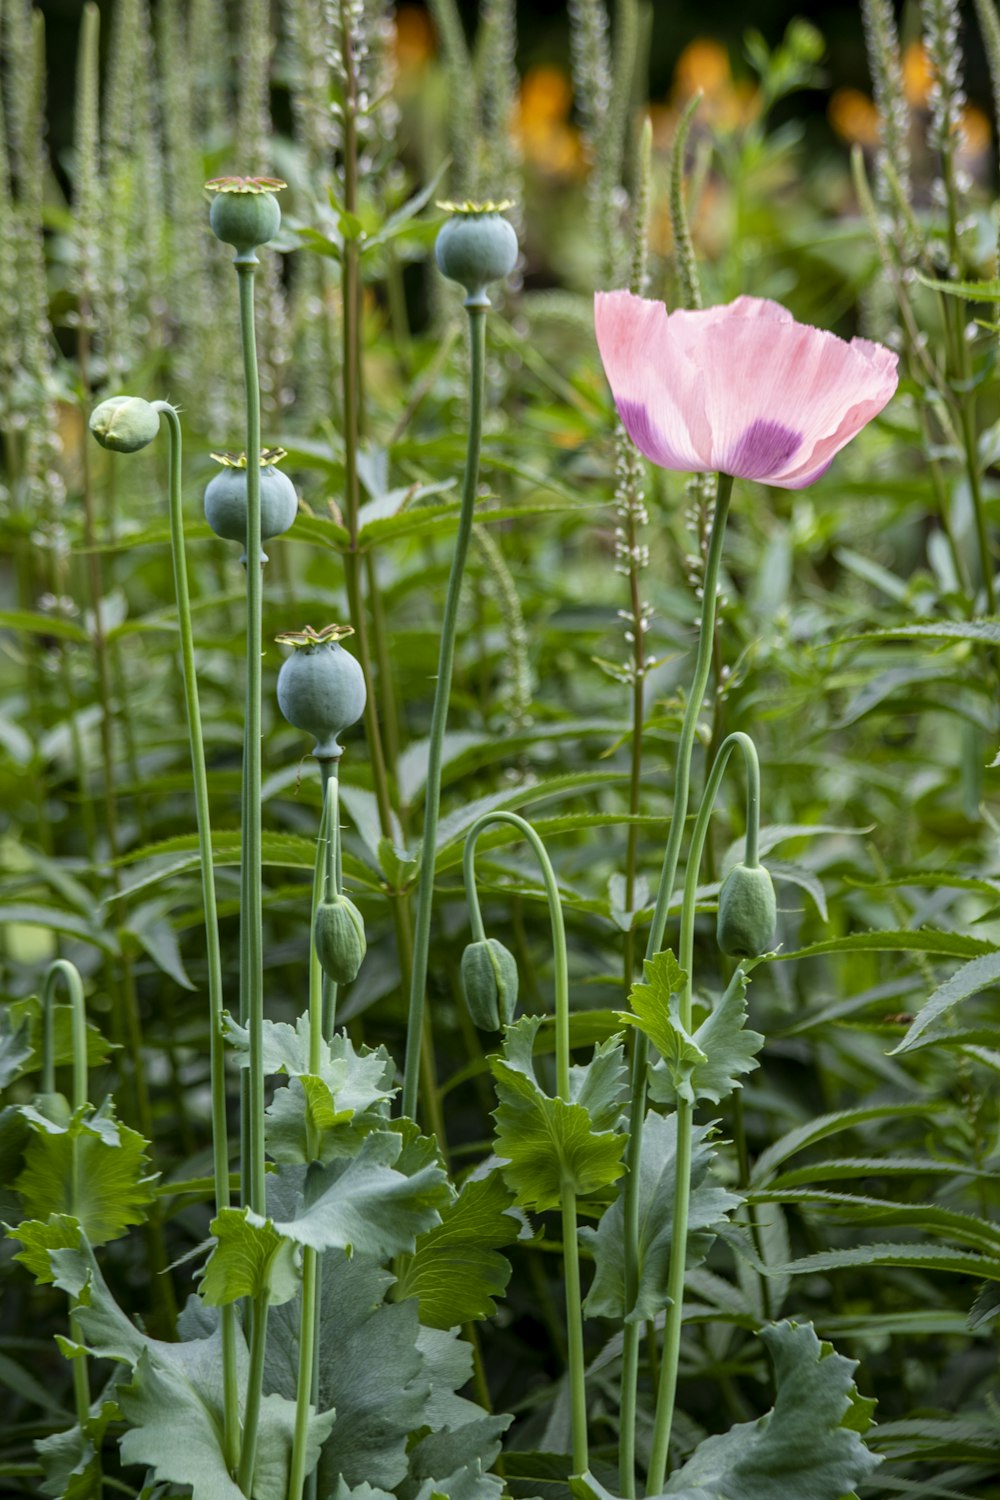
(570, 1243)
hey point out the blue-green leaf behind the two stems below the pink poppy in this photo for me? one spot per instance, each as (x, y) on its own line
(657, 1184)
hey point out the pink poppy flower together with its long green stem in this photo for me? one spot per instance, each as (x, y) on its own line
(752, 394)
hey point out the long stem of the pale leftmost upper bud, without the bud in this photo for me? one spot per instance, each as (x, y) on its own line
(217, 997)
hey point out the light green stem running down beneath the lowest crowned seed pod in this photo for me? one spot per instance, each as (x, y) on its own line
(325, 874)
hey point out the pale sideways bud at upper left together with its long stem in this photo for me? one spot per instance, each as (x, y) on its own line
(125, 425)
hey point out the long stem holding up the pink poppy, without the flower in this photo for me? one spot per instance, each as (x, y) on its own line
(641, 1048)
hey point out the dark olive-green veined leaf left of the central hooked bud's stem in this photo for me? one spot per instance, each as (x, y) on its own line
(457, 1270)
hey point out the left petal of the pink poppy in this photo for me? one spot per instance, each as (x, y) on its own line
(659, 392)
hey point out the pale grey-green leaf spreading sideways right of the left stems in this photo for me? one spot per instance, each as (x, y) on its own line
(365, 1204)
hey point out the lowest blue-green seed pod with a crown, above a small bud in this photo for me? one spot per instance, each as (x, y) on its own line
(322, 688)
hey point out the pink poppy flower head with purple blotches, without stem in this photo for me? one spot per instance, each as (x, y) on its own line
(741, 389)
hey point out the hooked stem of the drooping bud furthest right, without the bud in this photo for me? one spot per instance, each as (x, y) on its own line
(674, 1327)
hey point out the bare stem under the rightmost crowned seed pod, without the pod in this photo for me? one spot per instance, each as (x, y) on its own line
(440, 716)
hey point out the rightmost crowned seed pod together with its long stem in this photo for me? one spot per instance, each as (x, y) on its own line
(475, 248)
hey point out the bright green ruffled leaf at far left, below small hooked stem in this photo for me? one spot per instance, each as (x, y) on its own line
(86, 1166)
